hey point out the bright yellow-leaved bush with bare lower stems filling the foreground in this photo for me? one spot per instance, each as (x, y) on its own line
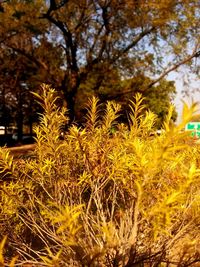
(106, 195)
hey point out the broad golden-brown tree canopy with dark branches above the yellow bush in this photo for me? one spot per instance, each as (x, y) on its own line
(82, 47)
